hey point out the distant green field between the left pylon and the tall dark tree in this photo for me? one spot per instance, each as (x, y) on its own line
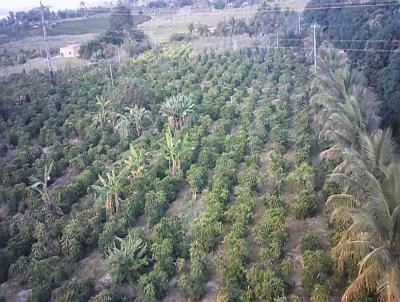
(81, 26)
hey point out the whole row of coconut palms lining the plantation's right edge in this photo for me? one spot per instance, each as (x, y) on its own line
(370, 205)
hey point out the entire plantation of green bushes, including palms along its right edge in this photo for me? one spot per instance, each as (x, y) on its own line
(193, 178)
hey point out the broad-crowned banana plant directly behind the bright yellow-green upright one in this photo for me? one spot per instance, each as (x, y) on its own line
(177, 109)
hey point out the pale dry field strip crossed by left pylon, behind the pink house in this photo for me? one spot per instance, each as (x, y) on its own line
(36, 43)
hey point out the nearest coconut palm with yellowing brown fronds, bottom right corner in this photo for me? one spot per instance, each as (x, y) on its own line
(373, 235)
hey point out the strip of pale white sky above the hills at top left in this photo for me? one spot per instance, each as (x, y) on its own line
(18, 5)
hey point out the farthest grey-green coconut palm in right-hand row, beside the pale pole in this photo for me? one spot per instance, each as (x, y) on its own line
(348, 108)
